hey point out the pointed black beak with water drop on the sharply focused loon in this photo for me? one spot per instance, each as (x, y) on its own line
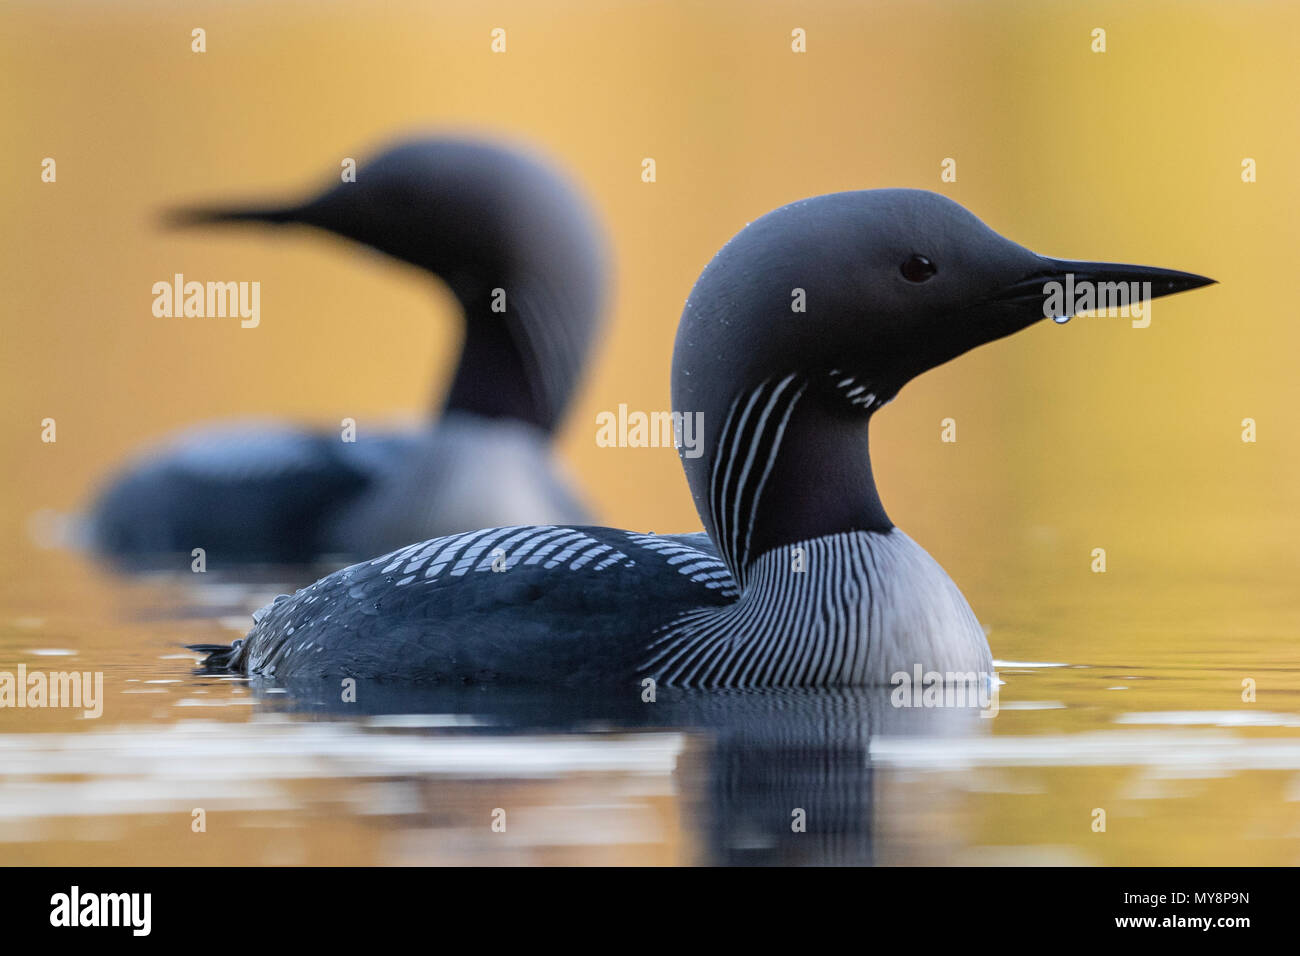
(1056, 288)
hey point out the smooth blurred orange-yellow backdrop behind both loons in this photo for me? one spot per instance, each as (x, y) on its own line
(1087, 435)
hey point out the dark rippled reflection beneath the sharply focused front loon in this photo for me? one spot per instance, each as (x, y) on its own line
(765, 777)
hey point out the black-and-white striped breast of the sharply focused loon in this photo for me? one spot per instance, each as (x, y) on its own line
(831, 612)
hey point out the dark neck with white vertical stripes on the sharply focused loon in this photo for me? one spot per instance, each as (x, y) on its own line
(791, 465)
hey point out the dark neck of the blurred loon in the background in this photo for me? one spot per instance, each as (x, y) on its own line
(521, 360)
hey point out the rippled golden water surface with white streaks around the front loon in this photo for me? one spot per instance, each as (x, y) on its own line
(1185, 769)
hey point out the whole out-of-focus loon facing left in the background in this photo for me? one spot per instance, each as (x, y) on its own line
(522, 253)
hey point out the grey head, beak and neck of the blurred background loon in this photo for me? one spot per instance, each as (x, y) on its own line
(512, 237)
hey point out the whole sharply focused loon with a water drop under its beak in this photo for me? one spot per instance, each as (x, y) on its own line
(801, 581)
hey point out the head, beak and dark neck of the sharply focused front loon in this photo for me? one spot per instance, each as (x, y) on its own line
(814, 317)
